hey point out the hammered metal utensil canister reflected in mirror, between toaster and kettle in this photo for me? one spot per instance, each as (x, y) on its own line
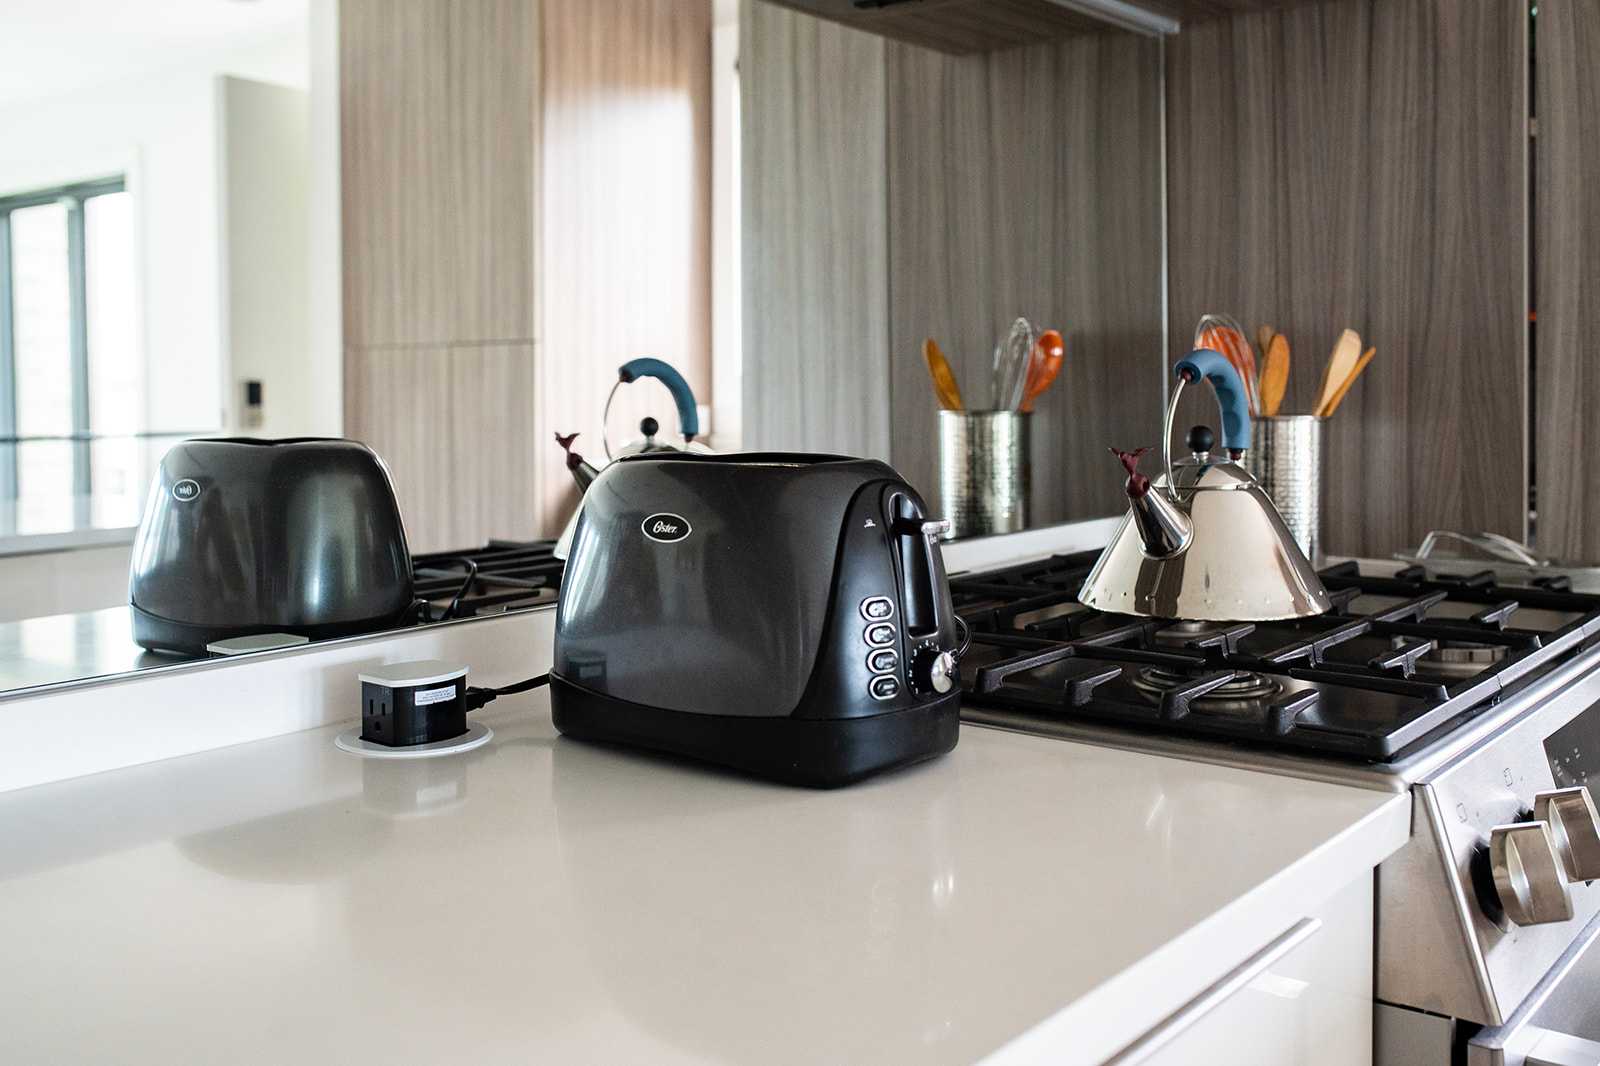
(985, 475)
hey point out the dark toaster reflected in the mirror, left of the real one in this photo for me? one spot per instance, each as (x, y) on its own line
(244, 537)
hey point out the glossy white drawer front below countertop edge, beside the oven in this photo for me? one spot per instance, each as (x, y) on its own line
(1306, 1000)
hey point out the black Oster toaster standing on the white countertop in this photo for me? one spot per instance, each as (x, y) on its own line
(782, 614)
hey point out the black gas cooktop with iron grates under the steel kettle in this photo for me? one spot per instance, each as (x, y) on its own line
(1402, 659)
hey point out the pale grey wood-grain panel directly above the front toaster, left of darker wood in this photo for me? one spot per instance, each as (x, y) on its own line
(815, 242)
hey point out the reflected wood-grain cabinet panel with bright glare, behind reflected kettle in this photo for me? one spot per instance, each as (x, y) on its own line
(625, 220)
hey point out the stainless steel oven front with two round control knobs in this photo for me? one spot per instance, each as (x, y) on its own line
(1489, 918)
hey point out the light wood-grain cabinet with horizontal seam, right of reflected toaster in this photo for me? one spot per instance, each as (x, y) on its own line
(438, 142)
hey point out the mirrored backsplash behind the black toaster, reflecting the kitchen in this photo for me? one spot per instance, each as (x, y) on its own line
(825, 209)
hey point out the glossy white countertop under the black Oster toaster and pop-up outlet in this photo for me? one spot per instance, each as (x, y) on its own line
(543, 900)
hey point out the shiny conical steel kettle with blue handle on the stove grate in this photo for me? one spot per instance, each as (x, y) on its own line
(1204, 542)
